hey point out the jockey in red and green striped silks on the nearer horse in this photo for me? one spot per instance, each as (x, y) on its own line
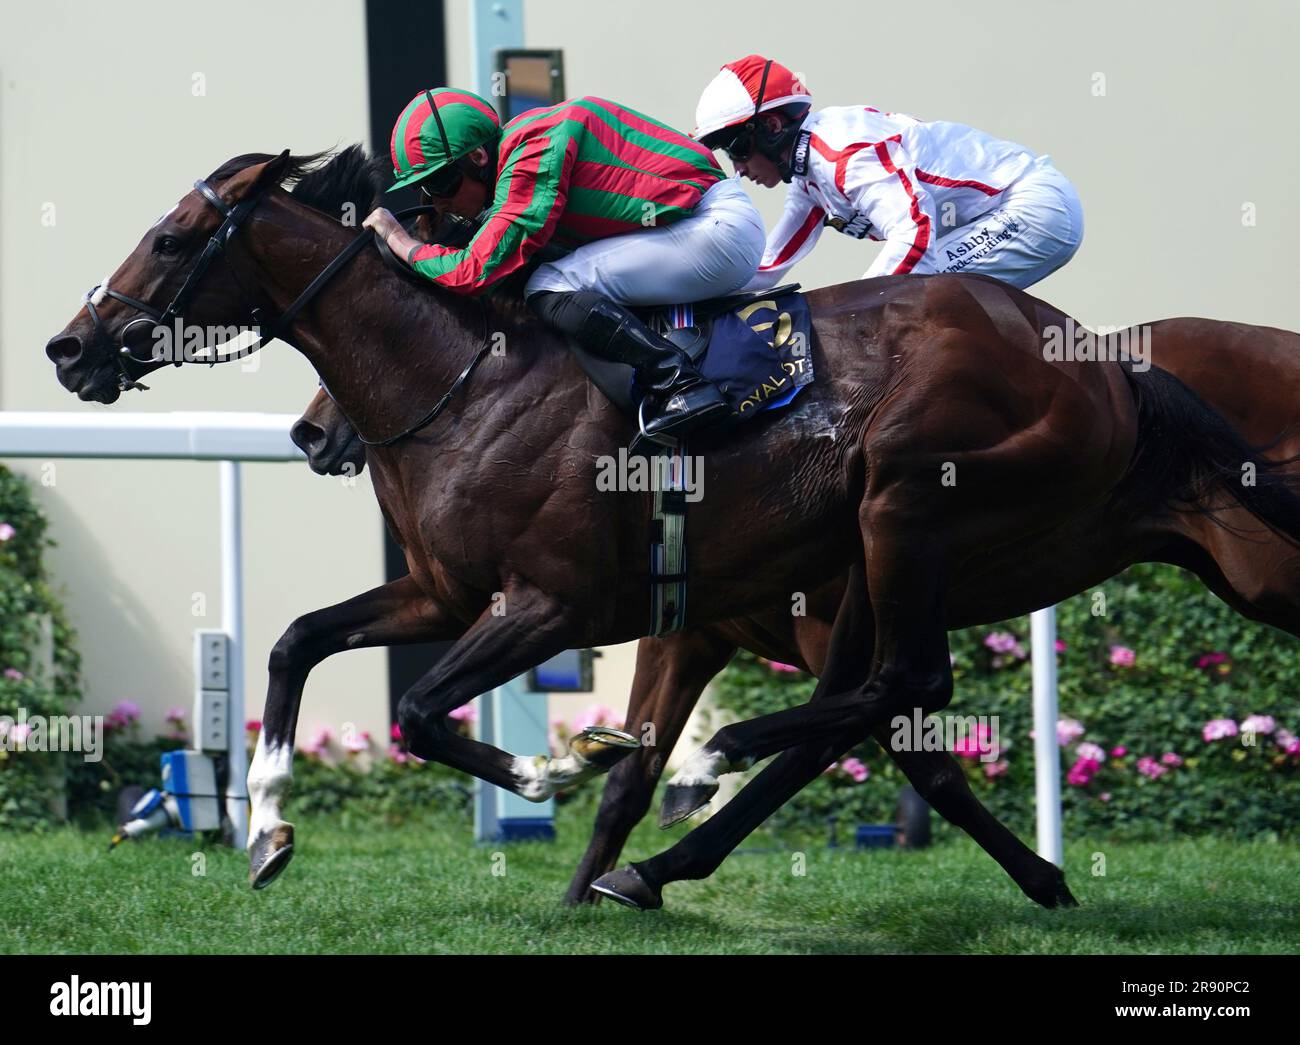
(651, 215)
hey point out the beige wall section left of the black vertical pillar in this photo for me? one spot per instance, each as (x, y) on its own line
(98, 118)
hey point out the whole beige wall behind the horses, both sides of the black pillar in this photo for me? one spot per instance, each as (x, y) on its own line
(98, 118)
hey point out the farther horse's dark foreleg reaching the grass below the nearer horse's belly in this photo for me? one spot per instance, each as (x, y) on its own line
(671, 675)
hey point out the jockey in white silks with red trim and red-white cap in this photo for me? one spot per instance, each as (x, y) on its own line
(943, 197)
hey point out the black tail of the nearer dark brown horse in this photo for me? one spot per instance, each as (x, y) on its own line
(1191, 459)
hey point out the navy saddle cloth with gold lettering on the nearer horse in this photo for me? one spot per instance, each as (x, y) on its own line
(756, 348)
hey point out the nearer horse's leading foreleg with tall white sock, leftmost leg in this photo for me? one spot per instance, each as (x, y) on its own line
(389, 615)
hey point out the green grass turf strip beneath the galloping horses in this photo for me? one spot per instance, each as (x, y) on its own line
(426, 888)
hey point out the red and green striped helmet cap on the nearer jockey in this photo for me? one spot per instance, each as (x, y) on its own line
(439, 128)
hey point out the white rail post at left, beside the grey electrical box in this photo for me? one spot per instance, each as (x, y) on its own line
(232, 623)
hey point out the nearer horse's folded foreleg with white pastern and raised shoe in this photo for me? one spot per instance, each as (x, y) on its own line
(489, 654)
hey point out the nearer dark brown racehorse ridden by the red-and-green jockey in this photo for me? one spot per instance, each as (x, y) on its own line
(939, 448)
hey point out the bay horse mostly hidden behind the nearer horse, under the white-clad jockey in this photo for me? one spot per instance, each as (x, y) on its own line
(1254, 381)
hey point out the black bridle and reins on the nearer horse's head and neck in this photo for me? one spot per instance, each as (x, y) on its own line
(233, 219)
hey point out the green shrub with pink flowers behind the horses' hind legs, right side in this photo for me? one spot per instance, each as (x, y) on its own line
(1194, 661)
